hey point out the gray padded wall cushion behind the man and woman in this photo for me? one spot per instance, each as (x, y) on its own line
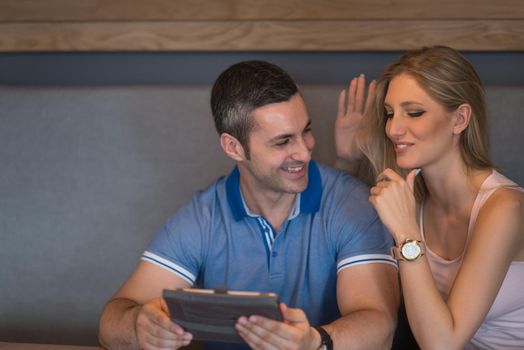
(89, 174)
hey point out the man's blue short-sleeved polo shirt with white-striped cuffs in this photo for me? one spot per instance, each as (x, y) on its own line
(214, 241)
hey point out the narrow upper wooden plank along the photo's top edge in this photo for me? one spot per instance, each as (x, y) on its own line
(152, 10)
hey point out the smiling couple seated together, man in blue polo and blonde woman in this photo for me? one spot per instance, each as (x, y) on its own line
(280, 222)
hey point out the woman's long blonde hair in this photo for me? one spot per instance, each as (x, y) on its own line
(448, 77)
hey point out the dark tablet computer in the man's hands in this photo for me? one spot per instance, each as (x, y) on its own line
(210, 315)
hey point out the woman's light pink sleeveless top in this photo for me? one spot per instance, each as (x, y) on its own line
(503, 327)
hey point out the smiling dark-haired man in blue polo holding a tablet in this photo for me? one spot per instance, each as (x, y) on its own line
(279, 223)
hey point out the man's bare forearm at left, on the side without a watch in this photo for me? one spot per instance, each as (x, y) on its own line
(117, 325)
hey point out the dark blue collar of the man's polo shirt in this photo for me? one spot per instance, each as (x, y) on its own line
(306, 202)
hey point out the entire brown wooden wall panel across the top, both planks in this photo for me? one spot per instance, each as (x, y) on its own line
(272, 25)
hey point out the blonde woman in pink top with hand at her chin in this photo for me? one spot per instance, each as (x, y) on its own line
(457, 222)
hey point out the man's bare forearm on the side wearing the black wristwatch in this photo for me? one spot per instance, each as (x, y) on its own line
(365, 329)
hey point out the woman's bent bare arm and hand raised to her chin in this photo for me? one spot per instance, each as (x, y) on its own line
(496, 240)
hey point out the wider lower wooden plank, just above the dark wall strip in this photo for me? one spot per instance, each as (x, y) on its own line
(496, 35)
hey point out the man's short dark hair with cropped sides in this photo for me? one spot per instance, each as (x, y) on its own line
(244, 87)
